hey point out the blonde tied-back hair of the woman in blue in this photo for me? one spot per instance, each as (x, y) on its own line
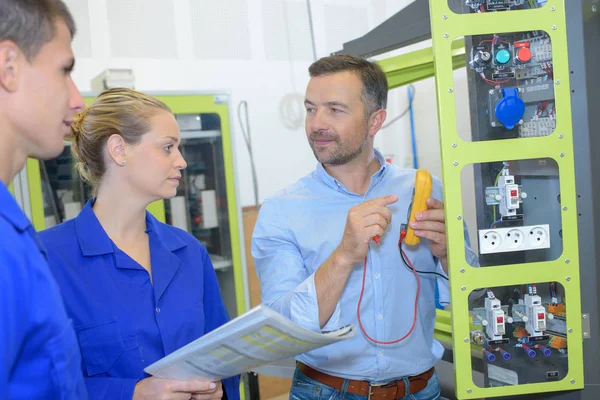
(118, 111)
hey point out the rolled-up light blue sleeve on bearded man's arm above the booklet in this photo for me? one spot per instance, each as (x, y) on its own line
(287, 286)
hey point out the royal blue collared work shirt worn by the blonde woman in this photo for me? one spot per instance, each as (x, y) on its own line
(125, 322)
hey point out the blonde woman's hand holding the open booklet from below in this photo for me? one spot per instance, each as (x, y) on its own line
(170, 389)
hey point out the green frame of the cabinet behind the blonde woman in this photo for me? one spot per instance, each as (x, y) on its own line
(179, 104)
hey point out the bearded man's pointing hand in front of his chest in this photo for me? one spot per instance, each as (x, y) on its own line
(364, 222)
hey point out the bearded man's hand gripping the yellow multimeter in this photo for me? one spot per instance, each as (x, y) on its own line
(430, 225)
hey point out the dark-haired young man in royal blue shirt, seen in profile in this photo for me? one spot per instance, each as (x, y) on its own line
(39, 355)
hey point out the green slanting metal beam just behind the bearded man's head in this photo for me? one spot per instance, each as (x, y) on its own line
(417, 65)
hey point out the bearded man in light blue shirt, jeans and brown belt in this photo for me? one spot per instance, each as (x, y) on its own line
(319, 265)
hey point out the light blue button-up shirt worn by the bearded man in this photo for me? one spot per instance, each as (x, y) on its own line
(299, 228)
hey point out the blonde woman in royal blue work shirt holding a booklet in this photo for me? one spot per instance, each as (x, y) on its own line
(136, 289)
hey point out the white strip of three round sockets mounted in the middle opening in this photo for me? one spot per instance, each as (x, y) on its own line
(518, 238)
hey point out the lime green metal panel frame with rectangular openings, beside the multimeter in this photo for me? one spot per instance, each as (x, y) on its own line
(457, 154)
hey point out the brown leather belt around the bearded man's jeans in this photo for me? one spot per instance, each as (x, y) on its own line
(390, 391)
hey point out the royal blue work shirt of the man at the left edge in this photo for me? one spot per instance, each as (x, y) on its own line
(39, 356)
